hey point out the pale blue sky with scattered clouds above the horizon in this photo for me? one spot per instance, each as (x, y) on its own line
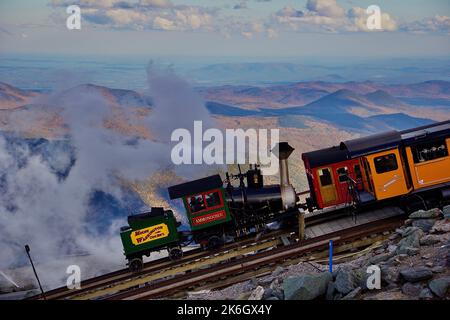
(265, 28)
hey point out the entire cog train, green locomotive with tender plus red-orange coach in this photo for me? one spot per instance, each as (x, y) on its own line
(406, 167)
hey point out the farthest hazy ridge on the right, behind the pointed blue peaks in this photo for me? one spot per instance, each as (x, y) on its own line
(301, 93)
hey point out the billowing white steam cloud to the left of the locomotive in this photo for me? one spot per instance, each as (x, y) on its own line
(50, 213)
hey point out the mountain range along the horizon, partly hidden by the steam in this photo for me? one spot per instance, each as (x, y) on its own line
(354, 106)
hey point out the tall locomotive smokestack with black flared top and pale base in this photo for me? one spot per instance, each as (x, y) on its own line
(283, 150)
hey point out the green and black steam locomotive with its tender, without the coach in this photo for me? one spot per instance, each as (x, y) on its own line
(217, 213)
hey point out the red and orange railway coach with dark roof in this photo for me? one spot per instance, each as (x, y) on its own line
(412, 166)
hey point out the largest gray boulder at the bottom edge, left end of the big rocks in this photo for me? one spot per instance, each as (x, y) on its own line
(306, 286)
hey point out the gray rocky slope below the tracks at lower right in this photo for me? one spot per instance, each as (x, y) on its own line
(414, 264)
